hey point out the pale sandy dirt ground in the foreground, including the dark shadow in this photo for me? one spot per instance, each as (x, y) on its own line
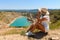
(52, 35)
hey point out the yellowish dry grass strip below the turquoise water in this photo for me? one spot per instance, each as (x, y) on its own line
(9, 31)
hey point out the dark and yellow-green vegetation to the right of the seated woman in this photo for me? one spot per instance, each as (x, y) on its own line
(55, 19)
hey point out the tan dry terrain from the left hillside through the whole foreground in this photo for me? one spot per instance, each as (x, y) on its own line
(7, 33)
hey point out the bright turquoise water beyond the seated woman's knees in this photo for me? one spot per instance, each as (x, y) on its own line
(21, 21)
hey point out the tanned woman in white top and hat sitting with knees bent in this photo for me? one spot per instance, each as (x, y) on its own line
(42, 22)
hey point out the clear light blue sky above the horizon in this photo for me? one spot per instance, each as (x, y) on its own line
(29, 4)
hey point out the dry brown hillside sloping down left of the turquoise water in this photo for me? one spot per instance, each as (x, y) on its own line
(7, 17)
